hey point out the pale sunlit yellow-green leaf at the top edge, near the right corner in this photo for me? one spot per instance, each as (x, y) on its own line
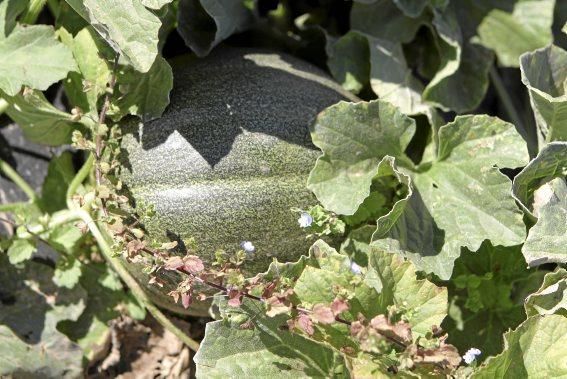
(510, 35)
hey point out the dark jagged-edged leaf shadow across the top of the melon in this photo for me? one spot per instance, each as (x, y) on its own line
(233, 92)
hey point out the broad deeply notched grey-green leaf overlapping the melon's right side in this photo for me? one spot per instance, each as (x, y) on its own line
(431, 226)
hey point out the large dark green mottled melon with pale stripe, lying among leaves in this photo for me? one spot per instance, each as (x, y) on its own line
(230, 157)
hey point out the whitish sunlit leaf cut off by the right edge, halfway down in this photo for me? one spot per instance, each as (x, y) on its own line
(548, 237)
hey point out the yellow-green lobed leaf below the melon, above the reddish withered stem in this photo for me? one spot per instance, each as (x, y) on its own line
(389, 282)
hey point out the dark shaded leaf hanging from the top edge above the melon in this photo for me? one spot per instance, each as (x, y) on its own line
(203, 24)
